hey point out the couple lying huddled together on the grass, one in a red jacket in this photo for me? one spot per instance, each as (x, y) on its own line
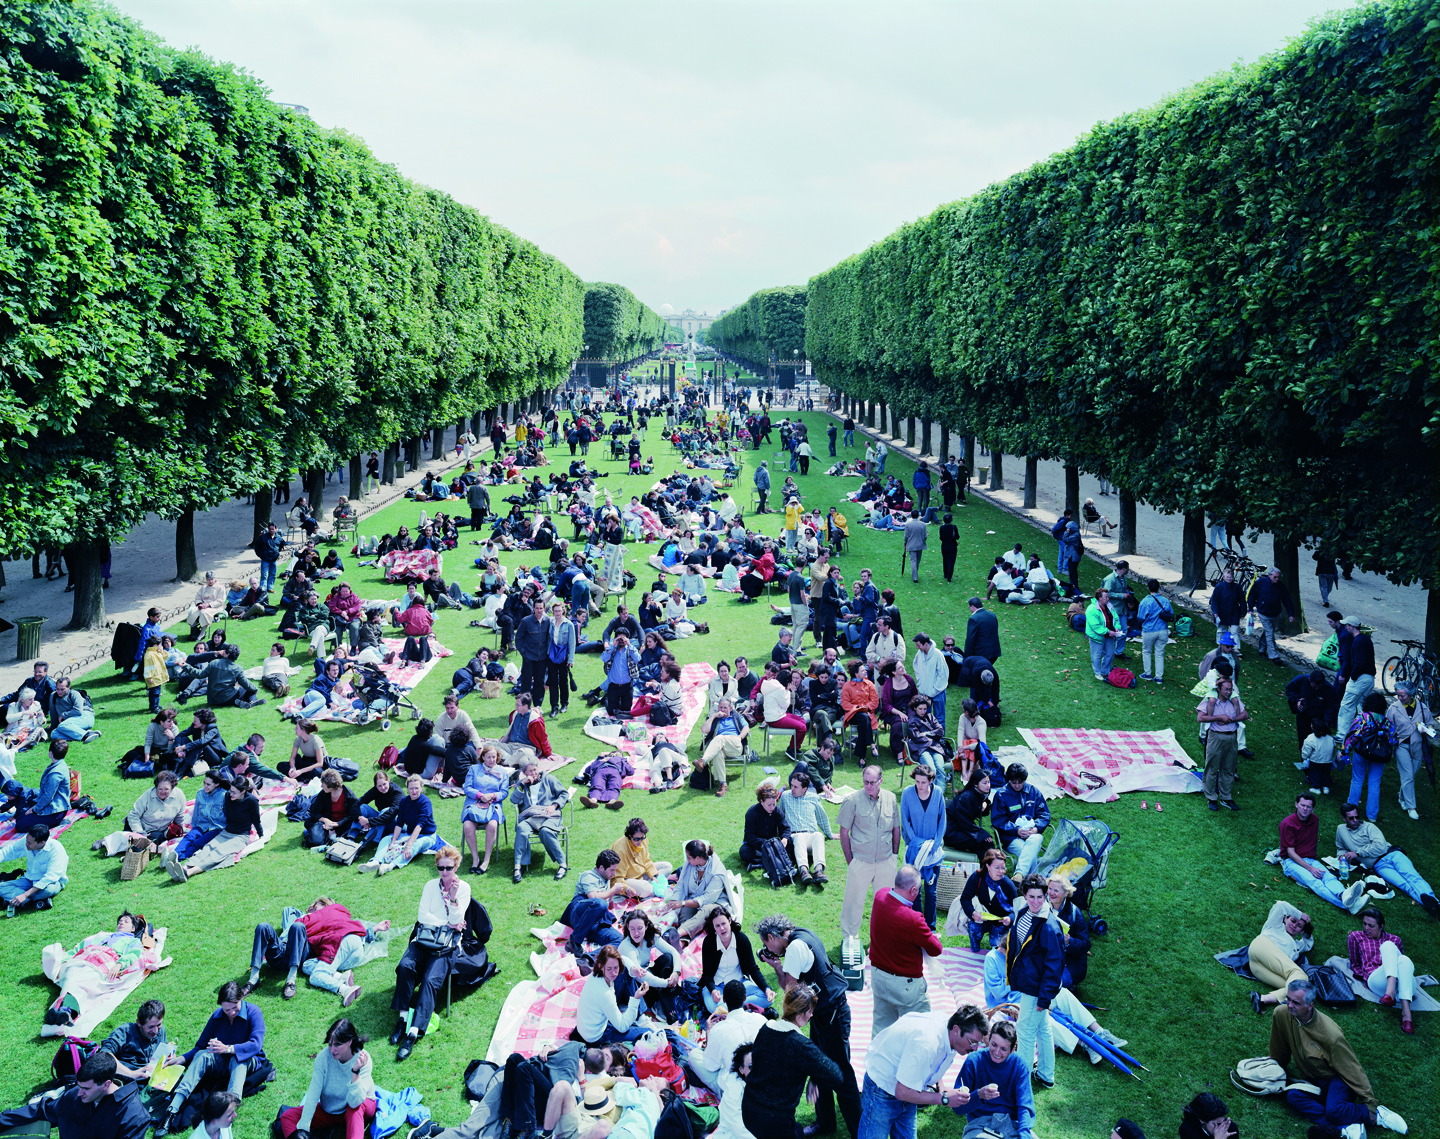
(325, 942)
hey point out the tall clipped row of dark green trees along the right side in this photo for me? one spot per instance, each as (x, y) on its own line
(1225, 303)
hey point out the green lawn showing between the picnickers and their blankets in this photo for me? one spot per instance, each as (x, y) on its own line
(1184, 885)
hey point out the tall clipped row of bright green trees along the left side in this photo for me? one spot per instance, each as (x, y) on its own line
(205, 290)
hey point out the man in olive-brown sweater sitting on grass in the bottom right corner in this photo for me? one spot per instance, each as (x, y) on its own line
(1313, 1049)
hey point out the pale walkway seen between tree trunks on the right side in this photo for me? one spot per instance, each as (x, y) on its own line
(1396, 613)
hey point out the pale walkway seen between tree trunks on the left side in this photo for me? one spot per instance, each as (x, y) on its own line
(143, 569)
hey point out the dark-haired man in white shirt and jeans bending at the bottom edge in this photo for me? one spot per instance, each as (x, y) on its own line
(906, 1059)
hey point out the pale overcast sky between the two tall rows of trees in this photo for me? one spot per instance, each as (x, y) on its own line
(698, 152)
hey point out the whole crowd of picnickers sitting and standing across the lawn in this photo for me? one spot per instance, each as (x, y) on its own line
(840, 683)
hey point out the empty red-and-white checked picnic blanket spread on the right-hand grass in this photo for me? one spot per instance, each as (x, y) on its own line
(1097, 767)
